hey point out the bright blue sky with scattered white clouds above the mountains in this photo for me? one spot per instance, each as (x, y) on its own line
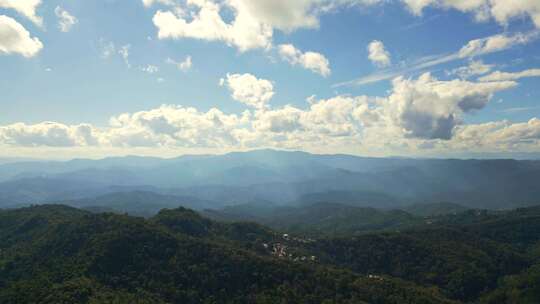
(433, 78)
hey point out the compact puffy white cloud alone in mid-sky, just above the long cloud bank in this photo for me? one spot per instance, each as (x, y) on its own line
(249, 90)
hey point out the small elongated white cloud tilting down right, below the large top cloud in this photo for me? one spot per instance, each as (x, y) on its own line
(312, 61)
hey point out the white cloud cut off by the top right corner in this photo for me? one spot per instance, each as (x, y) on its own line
(500, 10)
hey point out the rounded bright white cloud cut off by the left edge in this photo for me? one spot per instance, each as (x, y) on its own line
(15, 39)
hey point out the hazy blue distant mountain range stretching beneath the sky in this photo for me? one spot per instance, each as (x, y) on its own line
(281, 177)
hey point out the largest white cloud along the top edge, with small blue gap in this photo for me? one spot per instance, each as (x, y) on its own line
(253, 22)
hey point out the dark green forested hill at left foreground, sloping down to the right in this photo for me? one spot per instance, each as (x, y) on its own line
(56, 254)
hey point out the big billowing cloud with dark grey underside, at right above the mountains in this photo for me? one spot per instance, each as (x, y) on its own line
(429, 108)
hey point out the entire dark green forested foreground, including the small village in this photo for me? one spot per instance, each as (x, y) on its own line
(60, 254)
